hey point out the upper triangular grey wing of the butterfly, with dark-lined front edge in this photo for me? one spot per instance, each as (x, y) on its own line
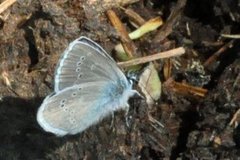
(85, 61)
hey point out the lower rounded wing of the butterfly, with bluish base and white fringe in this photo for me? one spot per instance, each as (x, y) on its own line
(75, 108)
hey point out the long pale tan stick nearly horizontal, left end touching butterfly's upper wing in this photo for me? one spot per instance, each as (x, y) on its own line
(167, 54)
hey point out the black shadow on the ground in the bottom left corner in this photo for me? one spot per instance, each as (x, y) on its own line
(21, 136)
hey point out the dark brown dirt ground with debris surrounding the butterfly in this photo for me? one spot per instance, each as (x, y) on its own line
(33, 35)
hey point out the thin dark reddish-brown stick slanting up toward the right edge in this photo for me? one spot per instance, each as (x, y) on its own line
(218, 53)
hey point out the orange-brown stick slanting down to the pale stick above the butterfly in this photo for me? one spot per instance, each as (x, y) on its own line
(127, 43)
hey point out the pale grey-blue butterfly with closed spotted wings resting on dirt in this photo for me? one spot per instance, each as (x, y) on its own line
(88, 86)
